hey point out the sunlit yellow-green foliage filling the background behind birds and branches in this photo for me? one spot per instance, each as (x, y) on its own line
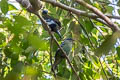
(25, 45)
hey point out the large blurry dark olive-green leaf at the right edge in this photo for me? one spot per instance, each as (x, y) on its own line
(108, 44)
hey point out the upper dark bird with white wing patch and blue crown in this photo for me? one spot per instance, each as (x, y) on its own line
(53, 23)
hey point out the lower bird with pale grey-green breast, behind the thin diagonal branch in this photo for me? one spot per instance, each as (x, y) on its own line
(59, 56)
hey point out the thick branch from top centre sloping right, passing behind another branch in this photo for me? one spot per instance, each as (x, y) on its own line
(76, 11)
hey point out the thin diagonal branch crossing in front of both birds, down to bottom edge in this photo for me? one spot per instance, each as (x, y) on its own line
(32, 10)
